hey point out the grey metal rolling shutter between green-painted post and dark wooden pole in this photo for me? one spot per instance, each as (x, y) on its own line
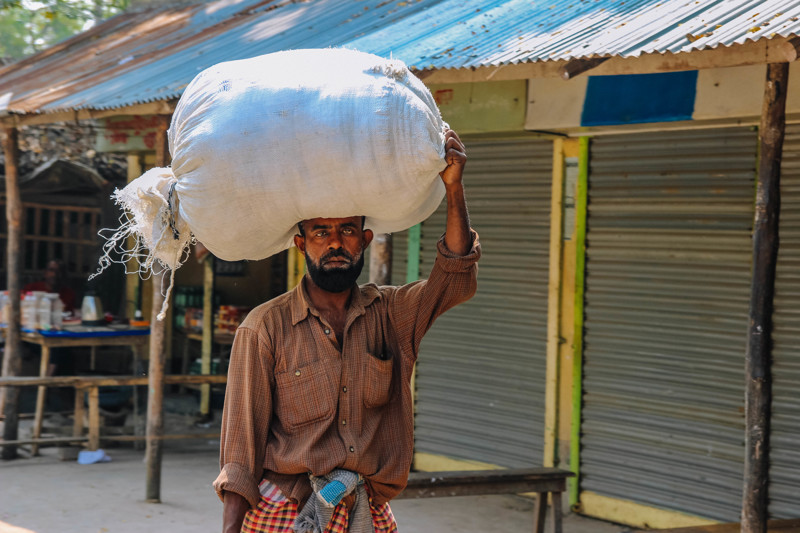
(667, 290)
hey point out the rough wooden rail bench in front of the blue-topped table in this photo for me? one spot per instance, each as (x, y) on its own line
(92, 384)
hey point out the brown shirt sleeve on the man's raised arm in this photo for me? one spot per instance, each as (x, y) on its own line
(453, 280)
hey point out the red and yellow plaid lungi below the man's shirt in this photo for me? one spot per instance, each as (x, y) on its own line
(276, 514)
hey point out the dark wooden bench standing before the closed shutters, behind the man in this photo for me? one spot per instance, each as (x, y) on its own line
(542, 481)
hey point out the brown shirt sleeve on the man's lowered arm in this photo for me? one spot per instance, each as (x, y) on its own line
(245, 417)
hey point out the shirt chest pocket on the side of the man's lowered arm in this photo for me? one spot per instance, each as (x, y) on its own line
(305, 395)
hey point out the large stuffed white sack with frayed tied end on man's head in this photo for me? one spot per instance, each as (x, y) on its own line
(260, 144)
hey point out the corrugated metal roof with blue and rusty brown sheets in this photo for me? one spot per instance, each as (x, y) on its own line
(151, 56)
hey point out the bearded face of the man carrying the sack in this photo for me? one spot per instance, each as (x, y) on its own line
(334, 250)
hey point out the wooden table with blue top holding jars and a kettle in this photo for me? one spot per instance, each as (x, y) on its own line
(82, 336)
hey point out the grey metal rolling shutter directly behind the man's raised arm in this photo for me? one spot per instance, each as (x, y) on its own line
(481, 370)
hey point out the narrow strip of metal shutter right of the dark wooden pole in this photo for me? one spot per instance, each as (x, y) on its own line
(784, 488)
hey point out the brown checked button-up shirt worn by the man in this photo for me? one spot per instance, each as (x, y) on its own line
(297, 402)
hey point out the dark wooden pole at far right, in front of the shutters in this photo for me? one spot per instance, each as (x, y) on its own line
(758, 391)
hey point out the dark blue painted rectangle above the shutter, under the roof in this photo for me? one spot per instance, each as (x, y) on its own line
(638, 98)
